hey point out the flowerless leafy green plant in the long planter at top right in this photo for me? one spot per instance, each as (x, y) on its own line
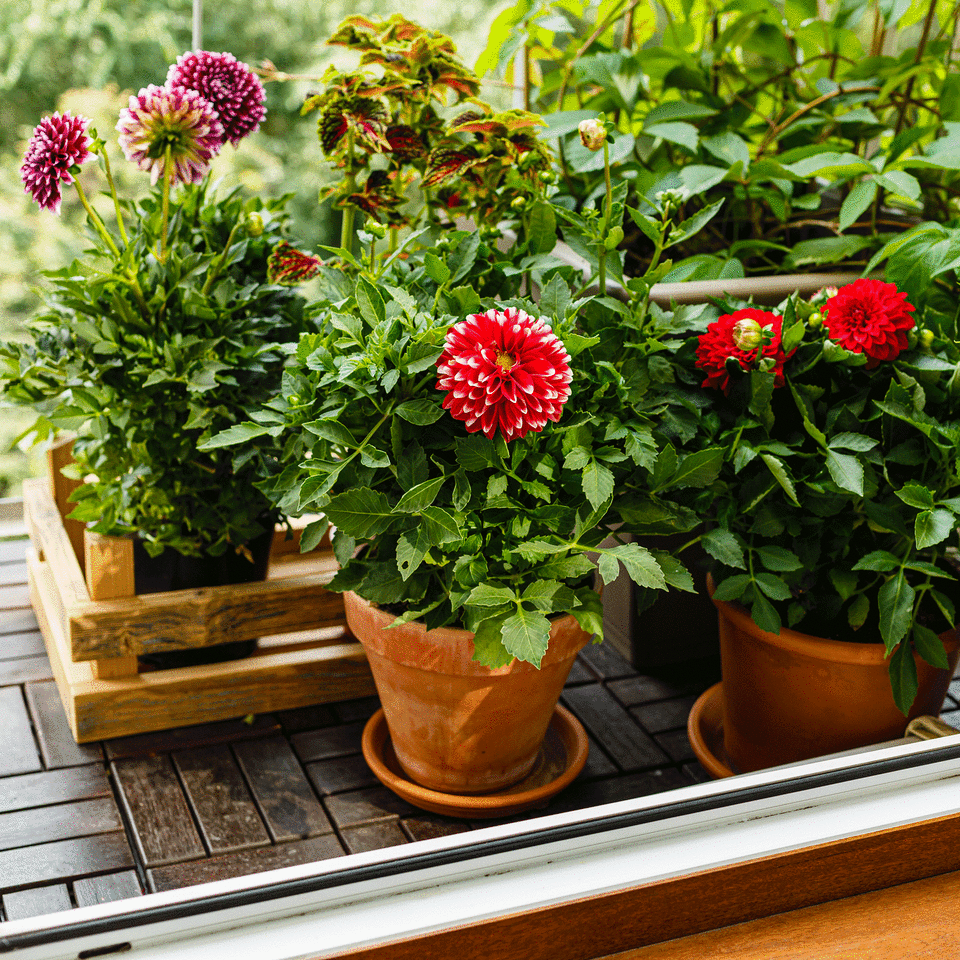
(808, 139)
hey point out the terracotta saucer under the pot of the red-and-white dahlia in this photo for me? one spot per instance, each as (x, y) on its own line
(561, 758)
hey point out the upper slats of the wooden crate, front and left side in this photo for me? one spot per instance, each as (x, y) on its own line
(290, 599)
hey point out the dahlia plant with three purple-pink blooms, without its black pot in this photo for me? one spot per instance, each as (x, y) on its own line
(169, 330)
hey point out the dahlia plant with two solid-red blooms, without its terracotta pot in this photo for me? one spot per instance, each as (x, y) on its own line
(836, 422)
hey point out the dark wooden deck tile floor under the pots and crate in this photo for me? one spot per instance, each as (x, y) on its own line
(87, 824)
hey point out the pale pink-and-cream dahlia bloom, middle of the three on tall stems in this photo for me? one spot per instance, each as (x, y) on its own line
(158, 118)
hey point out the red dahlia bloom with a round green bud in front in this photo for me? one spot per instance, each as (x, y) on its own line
(748, 336)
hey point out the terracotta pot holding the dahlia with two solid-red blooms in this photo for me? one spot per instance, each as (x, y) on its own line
(791, 696)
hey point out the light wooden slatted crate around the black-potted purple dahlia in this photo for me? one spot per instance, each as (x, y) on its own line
(94, 628)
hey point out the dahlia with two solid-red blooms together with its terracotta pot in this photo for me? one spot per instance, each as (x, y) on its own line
(835, 513)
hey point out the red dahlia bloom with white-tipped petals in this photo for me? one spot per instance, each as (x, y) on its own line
(504, 370)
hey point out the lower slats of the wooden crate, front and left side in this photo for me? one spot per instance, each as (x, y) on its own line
(274, 678)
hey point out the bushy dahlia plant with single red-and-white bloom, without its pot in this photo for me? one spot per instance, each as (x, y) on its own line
(479, 465)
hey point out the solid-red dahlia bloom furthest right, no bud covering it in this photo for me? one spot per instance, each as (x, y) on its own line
(871, 317)
